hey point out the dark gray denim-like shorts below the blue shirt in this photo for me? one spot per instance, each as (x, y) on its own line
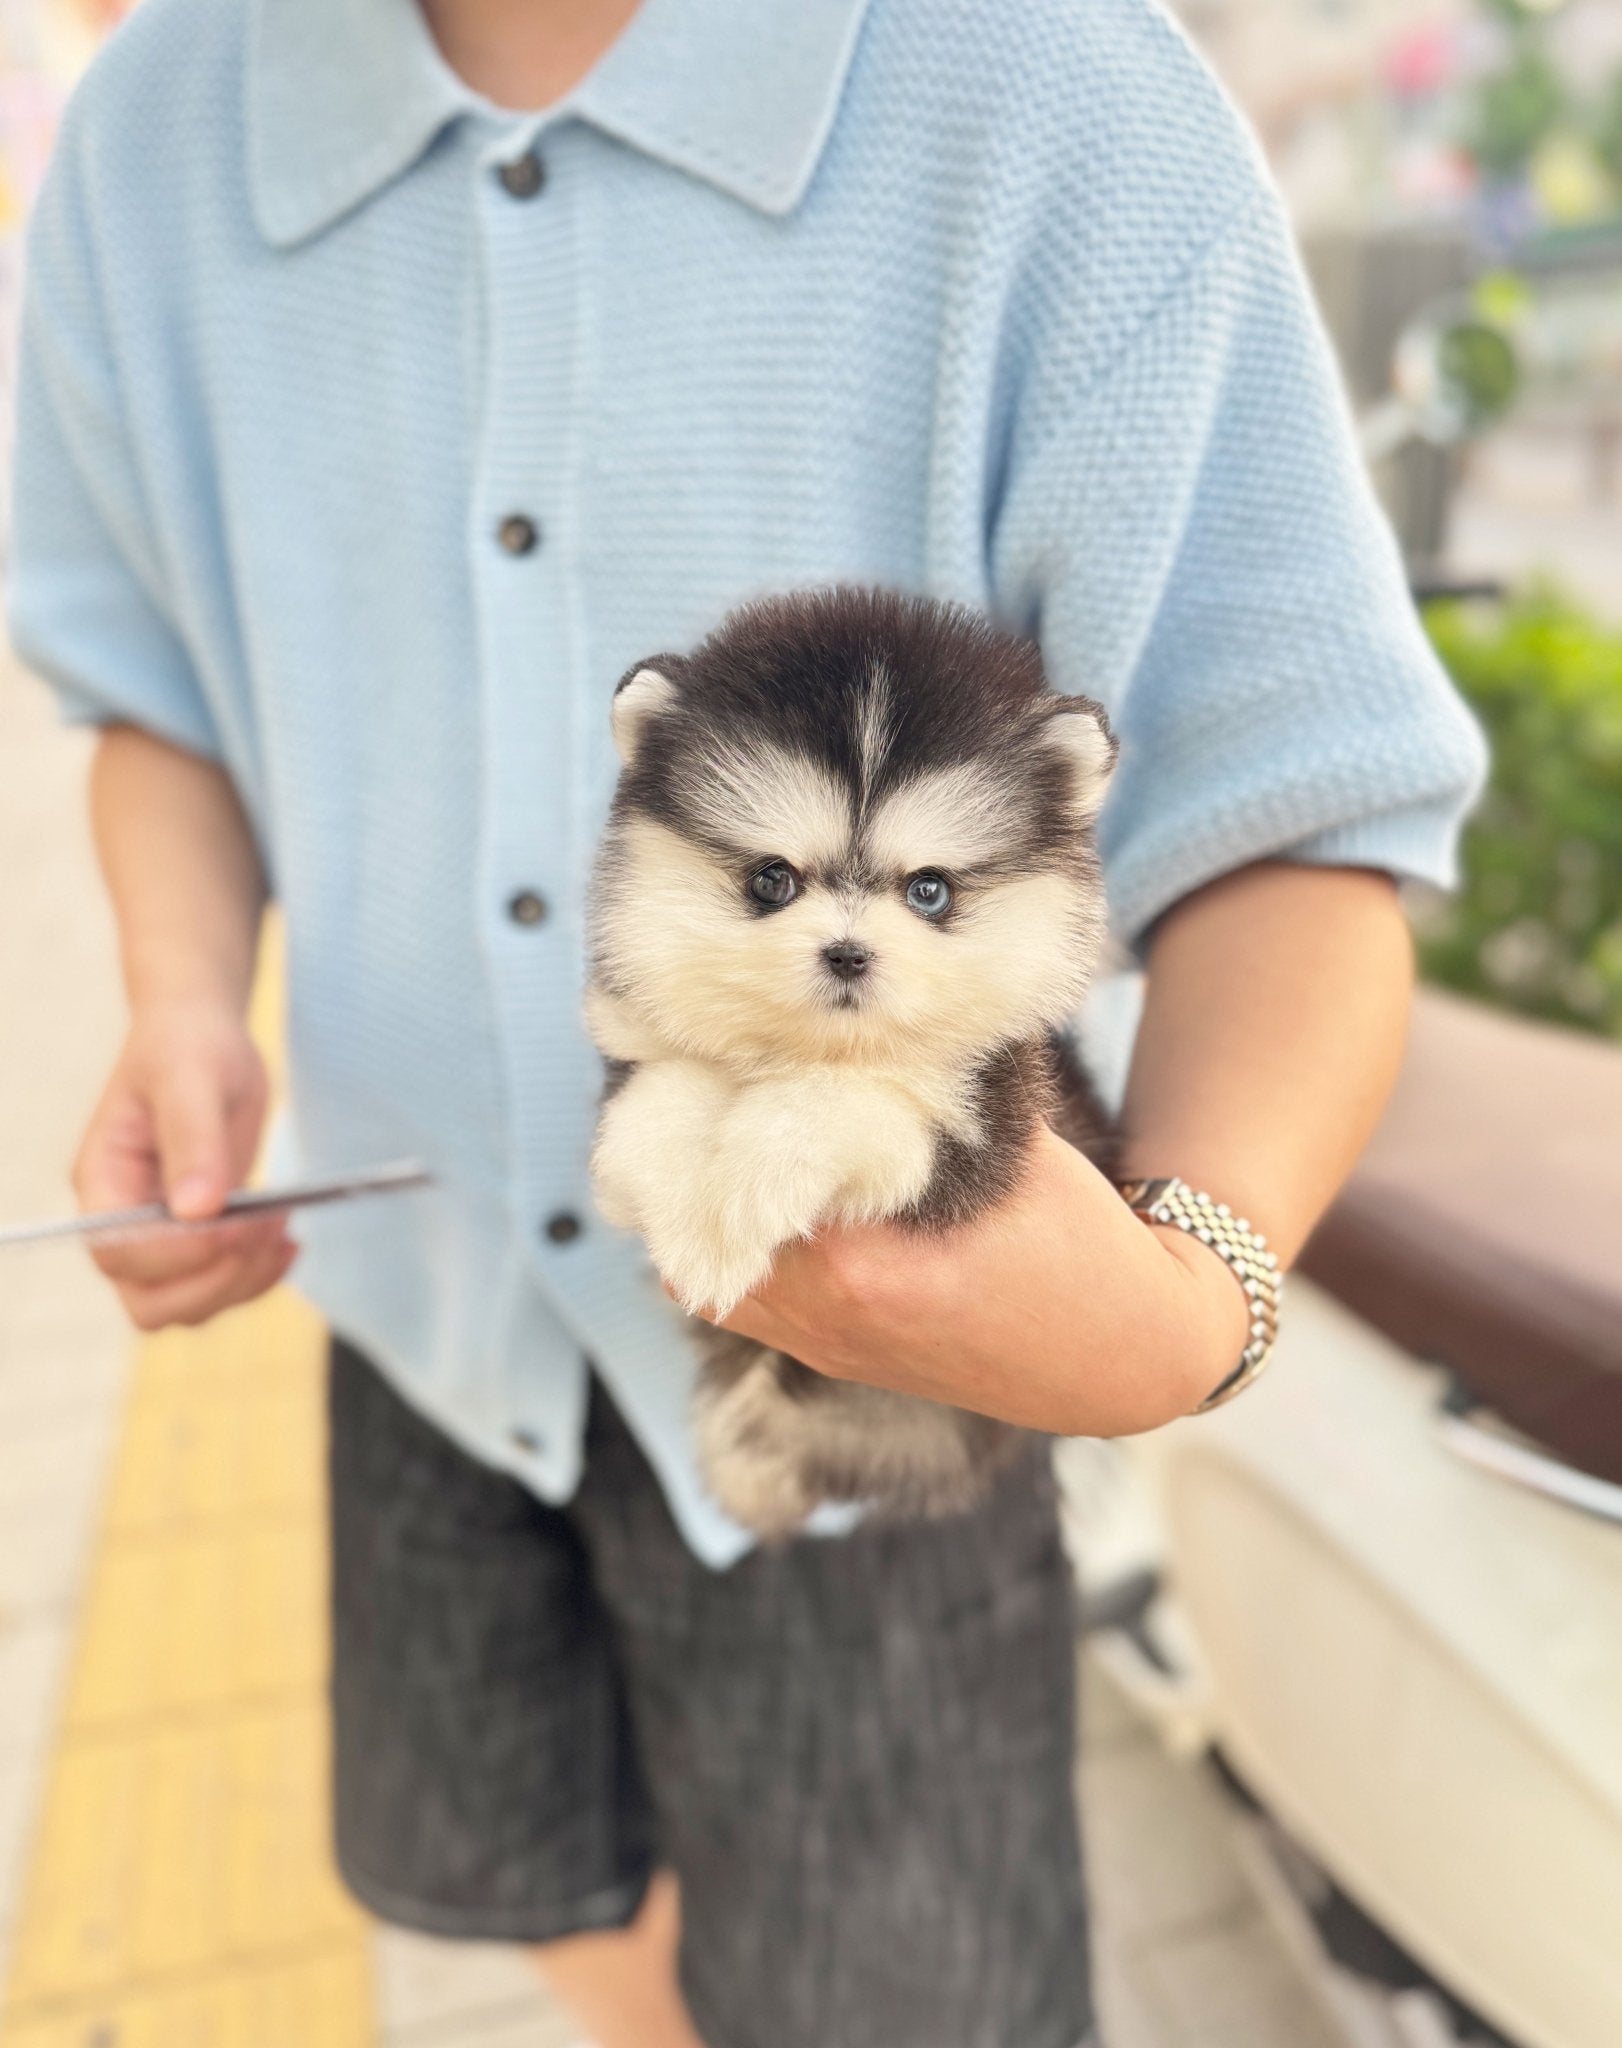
(855, 1754)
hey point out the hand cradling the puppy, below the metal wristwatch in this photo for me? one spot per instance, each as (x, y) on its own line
(1058, 1310)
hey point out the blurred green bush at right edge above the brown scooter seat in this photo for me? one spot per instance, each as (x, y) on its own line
(1537, 925)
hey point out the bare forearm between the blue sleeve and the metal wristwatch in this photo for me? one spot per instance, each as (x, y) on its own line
(1271, 1039)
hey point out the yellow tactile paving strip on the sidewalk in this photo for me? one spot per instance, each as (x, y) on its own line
(181, 1891)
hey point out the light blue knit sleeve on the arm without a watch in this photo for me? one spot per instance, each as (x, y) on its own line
(89, 605)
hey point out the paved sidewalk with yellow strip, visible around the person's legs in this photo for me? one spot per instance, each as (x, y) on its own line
(163, 1793)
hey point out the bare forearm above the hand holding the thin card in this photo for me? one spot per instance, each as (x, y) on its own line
(181, 867)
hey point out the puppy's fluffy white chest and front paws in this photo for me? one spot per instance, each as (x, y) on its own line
(718, 1170)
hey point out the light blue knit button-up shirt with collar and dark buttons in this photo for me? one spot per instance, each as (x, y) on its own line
(976, 298)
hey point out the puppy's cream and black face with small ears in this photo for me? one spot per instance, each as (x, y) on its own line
(867, 900)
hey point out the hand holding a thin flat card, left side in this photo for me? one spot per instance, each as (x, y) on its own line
(181, 1119)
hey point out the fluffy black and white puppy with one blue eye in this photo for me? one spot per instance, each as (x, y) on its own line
(845, 910)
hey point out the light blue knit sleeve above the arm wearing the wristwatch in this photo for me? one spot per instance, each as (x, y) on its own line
(1193, 538)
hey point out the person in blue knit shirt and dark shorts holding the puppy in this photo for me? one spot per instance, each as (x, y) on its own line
(394, 378)
